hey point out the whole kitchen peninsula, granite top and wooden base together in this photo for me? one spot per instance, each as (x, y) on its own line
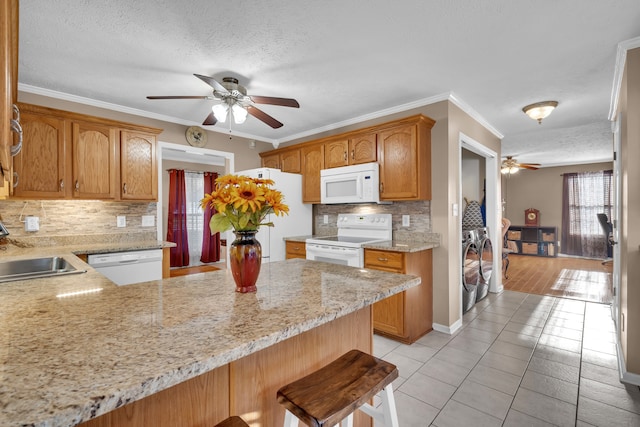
(176, 352)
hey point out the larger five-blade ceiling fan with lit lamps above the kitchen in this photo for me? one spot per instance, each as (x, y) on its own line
(235, 100)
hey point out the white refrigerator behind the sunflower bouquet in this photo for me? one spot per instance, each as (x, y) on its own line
(297, 223)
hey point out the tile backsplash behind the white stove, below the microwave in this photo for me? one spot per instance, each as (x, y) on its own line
(419, 218)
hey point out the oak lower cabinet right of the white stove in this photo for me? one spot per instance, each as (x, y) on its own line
(407, 316)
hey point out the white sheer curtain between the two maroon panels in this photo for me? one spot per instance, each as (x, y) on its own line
(194, 183)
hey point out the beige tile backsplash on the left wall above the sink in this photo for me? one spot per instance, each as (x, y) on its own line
(77, 217)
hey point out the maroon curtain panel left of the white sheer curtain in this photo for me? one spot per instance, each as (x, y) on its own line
(177, 219)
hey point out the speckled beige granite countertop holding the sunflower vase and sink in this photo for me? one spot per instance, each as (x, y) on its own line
(75, 347)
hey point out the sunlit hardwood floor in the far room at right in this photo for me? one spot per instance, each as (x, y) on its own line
(576, 278)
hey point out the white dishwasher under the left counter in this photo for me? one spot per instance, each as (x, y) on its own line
(126, 268)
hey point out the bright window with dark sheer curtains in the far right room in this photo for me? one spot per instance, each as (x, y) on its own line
(585, 195)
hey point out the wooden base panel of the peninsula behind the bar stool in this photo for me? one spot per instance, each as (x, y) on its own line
(247, 387)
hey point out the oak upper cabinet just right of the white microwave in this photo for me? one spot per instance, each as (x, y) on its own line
(405, 160)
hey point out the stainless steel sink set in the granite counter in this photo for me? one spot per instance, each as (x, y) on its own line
(24, 269)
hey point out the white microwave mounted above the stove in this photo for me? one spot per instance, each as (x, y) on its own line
(350, 184)
